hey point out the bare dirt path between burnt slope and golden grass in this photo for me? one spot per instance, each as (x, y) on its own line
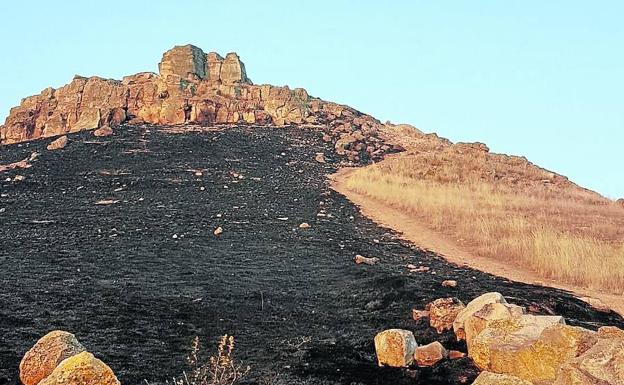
(413, 230)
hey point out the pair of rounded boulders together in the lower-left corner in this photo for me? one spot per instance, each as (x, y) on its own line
(59, 359)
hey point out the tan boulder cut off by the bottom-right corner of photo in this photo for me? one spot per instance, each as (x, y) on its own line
(602, 364)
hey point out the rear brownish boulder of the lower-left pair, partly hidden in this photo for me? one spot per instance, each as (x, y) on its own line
(46, 355)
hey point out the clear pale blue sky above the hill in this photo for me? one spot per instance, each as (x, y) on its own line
(543, 79)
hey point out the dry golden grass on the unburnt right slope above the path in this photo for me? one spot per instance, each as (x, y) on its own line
(506, 208)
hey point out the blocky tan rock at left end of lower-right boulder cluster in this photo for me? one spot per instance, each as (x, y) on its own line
(395, 348)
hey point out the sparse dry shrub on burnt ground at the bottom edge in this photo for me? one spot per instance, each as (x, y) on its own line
(219, 369)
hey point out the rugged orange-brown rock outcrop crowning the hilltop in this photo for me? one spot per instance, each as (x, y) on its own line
(192, 87)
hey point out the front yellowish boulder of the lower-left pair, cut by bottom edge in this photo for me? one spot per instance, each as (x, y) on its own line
(81, 369)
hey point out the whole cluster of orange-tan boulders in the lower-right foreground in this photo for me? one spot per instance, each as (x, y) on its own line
(511, 346)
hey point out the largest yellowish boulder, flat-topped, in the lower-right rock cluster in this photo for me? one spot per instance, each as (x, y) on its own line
(529, 347)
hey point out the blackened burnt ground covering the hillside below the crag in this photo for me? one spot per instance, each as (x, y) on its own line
(135, 295)
